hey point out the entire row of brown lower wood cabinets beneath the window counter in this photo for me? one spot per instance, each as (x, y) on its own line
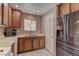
(30, 43)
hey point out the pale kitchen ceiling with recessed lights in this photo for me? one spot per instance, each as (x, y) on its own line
(34, 8)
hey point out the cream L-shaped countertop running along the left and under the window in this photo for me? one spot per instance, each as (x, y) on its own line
(8, 41)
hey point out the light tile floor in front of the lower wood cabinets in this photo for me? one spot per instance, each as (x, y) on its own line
(41, 52)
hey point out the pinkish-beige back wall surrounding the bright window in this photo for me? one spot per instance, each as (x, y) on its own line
(29, 16)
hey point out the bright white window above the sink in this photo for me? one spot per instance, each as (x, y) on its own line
(29, 25)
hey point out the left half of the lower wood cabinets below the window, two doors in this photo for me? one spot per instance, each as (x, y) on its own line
(24, 44)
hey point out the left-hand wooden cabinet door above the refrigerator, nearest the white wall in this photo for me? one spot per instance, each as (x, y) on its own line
(64, 9)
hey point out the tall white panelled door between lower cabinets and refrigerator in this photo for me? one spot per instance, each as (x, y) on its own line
(49, 32)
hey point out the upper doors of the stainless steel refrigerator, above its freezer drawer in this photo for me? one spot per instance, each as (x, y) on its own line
(70, 27)
